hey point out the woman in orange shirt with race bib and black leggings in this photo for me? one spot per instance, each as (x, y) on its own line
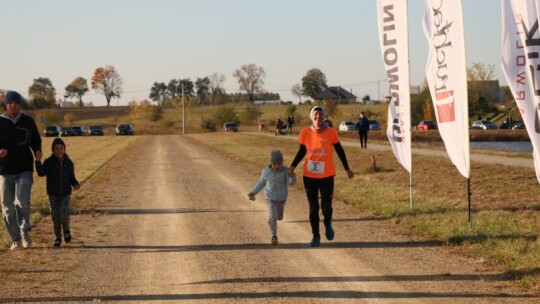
(316, 143)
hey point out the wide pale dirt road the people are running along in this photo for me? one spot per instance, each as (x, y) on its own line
(169, 221)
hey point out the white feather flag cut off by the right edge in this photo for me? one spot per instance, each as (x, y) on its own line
(521, 65)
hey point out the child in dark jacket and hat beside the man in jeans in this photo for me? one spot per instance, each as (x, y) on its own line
(60, 172)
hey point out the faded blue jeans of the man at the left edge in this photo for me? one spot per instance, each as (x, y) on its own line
(15, 190)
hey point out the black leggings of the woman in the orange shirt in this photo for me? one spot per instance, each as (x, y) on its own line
(326, 187)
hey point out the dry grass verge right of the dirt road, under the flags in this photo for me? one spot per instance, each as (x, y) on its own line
(506, 211)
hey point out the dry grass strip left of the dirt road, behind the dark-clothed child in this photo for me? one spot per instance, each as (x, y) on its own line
(88, 153)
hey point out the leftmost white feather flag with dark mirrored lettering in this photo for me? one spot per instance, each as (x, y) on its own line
(393, 37)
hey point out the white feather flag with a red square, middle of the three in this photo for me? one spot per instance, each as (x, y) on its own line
(447, 77)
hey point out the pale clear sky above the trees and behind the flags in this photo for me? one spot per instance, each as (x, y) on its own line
(148, 41)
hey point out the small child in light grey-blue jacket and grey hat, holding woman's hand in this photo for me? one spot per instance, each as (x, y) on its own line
(275, 180)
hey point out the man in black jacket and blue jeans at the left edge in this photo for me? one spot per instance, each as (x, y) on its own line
(19, 143)
